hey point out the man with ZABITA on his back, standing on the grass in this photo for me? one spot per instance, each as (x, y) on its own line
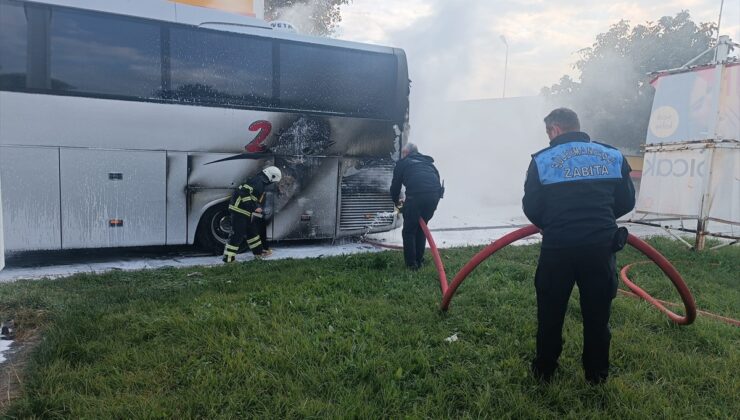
(574, 192)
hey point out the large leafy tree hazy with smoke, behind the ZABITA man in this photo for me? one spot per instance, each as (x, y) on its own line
(613, 95)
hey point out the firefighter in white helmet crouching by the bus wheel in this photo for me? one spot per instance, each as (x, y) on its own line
(246, 211)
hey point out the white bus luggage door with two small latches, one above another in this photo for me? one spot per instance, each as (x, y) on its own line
(112, 198)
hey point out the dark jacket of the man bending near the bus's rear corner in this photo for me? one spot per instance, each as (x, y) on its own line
(417, 173)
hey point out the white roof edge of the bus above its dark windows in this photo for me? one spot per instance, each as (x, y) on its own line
(170, 11)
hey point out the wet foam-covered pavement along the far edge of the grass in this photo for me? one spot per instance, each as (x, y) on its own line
(448, 229)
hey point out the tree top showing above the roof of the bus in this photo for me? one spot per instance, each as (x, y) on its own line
(316, 17)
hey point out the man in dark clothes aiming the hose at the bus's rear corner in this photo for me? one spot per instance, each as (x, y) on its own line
(423, 191)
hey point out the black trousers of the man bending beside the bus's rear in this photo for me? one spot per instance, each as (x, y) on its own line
(414, 241)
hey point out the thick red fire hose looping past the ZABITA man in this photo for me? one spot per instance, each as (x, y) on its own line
(449, 291)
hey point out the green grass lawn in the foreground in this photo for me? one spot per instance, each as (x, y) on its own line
(358, 336)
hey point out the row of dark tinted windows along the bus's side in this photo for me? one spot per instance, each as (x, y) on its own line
(58, 50)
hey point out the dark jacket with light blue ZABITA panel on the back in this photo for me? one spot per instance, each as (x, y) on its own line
(575, 190)
